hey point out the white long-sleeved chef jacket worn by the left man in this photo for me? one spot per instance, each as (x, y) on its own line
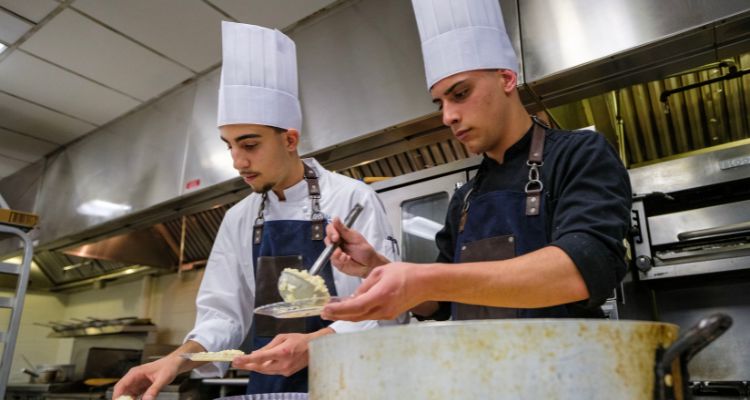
(226, 297)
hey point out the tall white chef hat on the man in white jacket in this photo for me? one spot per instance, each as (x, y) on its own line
(258, 78)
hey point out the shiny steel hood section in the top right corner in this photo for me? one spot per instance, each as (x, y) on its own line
(570, 49)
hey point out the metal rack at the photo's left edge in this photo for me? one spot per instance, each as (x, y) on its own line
(14, 303)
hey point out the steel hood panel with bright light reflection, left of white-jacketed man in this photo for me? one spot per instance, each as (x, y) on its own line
(128, 166)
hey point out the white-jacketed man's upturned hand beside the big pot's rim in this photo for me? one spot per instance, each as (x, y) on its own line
(286, 354)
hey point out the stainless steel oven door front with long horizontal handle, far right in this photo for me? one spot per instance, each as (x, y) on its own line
(666, 228)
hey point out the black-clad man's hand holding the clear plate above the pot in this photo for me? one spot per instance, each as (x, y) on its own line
(387, 292)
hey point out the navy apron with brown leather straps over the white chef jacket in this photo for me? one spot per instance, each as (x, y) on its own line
(277, 245)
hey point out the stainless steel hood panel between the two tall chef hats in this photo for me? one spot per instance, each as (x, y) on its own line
(361, 71)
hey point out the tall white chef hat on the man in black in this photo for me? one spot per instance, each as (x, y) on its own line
(462, 35)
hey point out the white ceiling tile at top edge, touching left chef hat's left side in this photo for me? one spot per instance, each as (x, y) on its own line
(188, 31)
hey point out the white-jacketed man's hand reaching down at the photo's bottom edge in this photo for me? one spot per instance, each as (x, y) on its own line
(148, 379)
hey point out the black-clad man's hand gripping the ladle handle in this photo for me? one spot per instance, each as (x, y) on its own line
(354, 256)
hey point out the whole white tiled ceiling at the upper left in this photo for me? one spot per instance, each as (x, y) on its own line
(73, 66)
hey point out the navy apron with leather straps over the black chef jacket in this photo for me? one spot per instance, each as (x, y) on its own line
(504, 224)
